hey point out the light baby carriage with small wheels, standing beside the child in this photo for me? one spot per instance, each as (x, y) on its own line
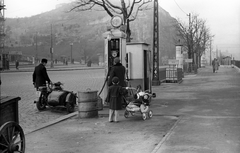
(139, 102)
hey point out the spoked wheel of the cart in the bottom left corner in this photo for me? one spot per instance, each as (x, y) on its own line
(12, 138)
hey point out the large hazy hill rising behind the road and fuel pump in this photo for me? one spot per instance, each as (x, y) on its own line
(84, 29)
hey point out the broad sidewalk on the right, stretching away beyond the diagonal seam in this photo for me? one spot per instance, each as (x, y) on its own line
(209, 108)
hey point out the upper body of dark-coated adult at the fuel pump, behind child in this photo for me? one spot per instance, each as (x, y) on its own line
(118, 70)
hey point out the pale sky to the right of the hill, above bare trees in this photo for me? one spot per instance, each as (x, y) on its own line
(222, 17)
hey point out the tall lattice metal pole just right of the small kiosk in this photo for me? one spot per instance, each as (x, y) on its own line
(155, 81)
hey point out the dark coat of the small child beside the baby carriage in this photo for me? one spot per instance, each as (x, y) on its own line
(114, 97)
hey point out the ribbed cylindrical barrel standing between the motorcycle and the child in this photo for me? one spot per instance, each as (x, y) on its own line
(87, 104)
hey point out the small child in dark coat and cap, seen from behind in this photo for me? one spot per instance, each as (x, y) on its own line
(114, 98)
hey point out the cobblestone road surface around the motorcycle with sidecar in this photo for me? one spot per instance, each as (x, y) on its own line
(20, 84)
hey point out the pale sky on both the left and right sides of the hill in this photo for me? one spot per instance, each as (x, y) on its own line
(222, 17)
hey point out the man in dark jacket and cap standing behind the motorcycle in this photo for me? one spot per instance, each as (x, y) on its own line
(40, 75)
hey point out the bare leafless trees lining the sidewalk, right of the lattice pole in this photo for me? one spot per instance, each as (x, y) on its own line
(196, 38)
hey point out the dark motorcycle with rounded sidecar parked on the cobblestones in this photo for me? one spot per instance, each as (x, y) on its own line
(53, 95)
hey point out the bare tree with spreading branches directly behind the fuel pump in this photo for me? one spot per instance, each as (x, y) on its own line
(127, 9)
